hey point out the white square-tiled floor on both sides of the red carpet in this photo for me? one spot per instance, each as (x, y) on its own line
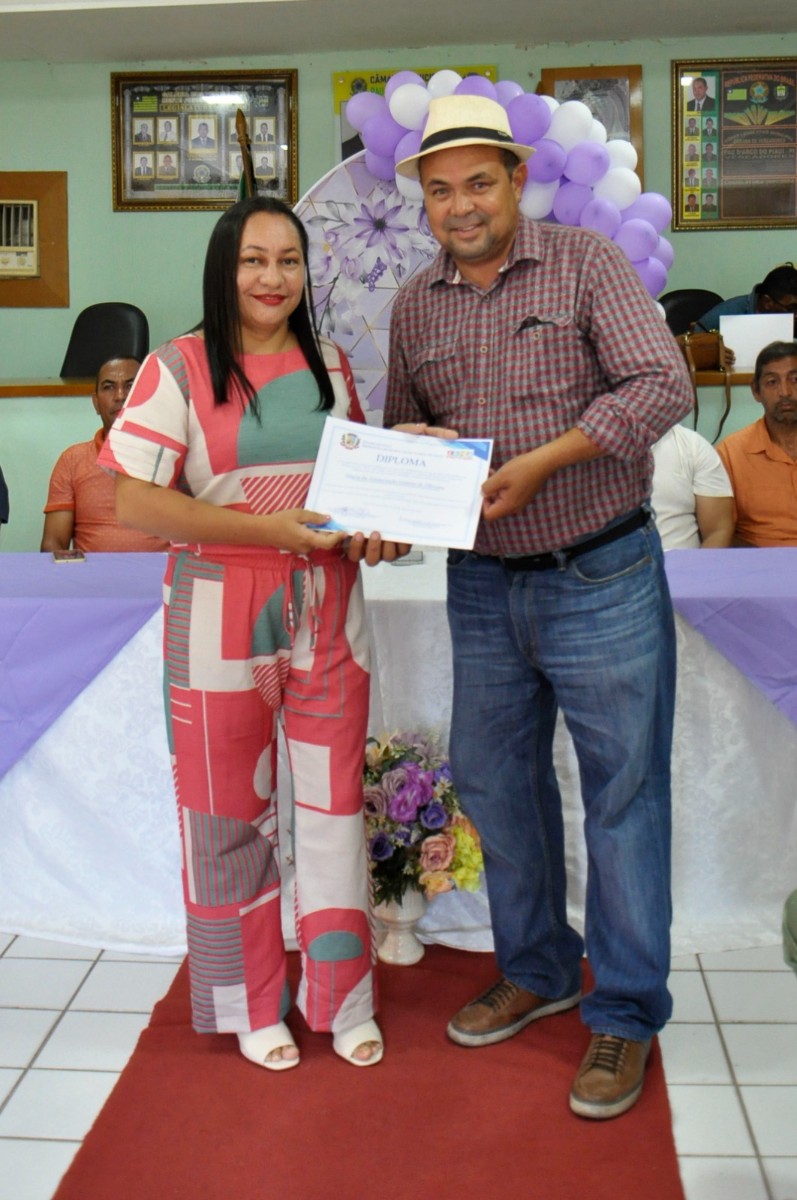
(70, 1018)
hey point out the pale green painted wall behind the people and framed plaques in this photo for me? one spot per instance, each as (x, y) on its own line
(57, 117)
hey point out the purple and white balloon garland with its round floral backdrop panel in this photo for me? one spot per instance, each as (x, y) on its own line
(368, 227)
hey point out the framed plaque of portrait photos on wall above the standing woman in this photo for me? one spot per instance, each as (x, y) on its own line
(176, 143)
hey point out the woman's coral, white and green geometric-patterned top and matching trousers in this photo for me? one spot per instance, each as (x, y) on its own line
(255, 638)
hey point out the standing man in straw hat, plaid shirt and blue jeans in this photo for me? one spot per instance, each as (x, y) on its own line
(542, 338)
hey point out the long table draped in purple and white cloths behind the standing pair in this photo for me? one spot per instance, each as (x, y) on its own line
(91, 853)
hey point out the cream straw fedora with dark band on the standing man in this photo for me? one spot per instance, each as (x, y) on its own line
(464, 122)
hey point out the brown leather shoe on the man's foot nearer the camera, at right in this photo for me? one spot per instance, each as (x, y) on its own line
(610, 1078)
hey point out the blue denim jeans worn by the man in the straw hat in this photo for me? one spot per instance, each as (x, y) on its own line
(595, 639)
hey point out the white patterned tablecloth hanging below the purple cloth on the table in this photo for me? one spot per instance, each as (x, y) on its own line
(89, 851)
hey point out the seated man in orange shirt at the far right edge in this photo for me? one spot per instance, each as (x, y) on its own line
(762, 460)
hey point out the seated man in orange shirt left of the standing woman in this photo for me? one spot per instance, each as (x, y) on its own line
(81, 506)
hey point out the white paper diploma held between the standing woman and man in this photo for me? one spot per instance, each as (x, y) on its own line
(421, 490)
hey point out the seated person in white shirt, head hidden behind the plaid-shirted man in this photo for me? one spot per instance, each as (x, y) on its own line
(693, 499)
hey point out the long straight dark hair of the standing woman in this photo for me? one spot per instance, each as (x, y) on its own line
(221, 315)
